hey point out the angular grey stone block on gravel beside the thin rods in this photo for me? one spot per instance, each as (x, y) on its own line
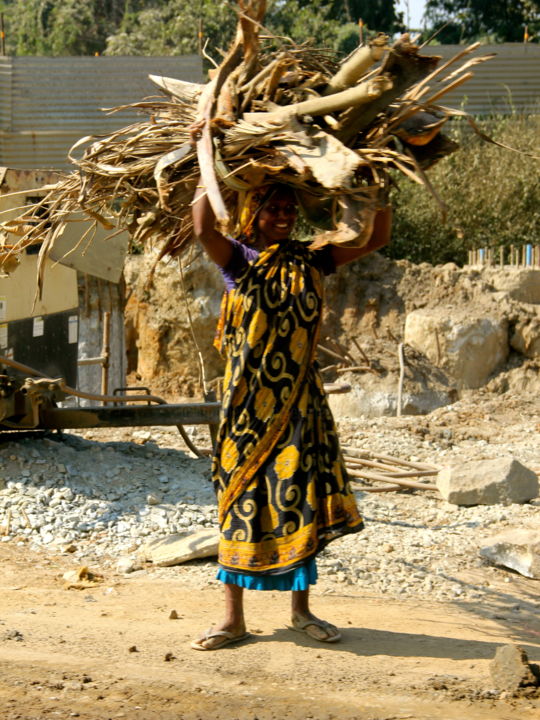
(488, 482)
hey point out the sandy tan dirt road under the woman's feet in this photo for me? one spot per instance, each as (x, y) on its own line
(74, 652)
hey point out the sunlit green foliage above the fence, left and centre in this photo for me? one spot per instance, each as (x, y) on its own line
(176, 27)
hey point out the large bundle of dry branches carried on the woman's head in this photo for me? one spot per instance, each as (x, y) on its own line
(273, 112)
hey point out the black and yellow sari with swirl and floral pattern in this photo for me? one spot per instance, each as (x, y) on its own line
(281, 484)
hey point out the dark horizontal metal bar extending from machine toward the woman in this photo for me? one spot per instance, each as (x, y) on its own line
(130, 416)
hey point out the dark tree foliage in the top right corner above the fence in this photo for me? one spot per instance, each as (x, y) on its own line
(495, 20)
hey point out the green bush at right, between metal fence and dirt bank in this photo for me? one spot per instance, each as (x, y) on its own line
(492, 194)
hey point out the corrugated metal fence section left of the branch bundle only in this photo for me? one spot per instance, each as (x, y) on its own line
(47, 104)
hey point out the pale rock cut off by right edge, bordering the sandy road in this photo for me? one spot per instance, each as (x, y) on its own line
(518, 550)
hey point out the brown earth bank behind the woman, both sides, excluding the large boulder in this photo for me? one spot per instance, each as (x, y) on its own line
(171, 323)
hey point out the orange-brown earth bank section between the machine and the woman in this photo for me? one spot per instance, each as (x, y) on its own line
(170, 319)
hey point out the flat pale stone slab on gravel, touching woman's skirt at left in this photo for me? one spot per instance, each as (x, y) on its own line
(177, 549)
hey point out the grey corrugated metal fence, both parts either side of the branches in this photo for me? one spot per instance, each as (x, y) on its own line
(47, 104)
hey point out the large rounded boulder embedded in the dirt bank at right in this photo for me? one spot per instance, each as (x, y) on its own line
(468, 347)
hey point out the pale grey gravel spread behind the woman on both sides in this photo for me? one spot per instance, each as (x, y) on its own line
(103, 494)
